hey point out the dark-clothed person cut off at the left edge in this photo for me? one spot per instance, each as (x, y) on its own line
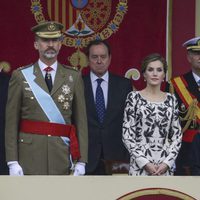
(4, 79)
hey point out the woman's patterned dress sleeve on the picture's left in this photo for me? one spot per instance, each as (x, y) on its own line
(132, 131)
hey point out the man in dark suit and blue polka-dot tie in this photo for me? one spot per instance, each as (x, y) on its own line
(104, 126)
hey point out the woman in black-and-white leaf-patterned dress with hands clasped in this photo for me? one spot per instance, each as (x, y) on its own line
(151, 128)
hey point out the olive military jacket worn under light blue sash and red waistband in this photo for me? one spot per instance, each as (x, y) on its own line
(42, 154)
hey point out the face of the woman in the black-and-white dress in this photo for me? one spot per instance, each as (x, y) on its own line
(154, 73)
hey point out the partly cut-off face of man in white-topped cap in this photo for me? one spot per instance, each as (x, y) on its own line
(194, 59)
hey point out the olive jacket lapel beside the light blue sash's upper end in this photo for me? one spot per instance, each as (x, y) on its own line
(39, 79)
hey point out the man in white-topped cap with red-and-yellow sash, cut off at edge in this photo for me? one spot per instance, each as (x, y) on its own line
(187, 90)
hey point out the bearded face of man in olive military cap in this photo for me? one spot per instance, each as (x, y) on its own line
(48, 48)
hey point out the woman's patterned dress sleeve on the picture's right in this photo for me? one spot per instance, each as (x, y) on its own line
(174, 136)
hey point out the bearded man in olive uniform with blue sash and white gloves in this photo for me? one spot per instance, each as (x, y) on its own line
(46, 121)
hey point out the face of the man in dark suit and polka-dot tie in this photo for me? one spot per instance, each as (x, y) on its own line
(99, 59)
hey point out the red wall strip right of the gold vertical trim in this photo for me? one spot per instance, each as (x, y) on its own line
(183, 29)
